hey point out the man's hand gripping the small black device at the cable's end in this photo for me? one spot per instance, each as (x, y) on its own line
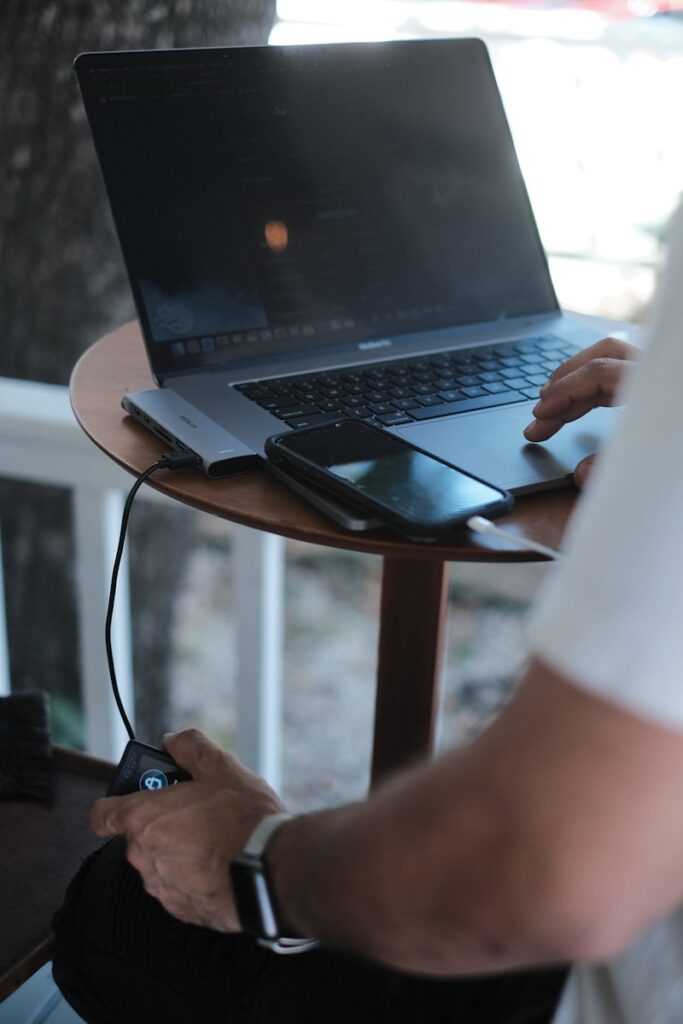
(182, 840)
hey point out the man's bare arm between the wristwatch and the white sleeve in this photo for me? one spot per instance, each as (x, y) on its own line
(505, 854)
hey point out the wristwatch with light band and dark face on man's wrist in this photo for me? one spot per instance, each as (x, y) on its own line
(254, 895)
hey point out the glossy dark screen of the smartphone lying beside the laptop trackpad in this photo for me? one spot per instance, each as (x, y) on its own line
(382, 467)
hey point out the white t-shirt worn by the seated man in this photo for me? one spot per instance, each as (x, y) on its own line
(612, 619)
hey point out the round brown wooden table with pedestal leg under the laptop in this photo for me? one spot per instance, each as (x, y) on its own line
(415, 576)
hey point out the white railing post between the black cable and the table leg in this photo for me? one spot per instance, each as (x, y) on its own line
(260, 562)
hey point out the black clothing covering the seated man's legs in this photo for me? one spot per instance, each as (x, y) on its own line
(121, 959)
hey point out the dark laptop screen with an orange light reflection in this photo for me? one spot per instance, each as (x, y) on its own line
(273, 200)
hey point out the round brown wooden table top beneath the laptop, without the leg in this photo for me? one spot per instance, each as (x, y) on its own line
(118, 364)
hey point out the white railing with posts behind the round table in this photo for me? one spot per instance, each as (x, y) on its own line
(41, 443)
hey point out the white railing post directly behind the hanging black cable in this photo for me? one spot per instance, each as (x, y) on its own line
(97, 524)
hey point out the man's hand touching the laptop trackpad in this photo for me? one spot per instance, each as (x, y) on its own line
(589, 379)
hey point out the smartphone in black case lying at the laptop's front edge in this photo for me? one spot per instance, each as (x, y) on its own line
(422, 497)
